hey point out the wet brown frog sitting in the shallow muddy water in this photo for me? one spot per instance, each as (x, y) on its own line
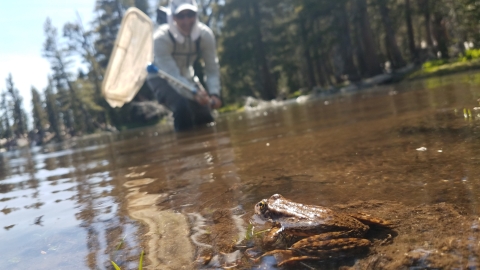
(328, 233)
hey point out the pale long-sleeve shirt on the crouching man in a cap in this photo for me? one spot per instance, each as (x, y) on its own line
(177, 58)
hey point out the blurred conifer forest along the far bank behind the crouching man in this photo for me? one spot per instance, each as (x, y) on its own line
(267, 49)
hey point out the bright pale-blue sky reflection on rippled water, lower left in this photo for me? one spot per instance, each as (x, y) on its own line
(60, 208)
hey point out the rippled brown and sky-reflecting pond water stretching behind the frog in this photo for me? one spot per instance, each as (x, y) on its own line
(70, 206)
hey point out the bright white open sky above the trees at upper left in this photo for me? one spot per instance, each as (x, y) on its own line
(21, 26)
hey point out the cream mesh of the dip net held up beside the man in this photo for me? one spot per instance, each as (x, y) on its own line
(133, 50)
